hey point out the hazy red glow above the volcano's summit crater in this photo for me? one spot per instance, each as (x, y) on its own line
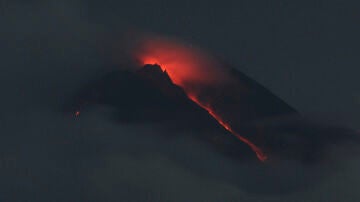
(184, 64)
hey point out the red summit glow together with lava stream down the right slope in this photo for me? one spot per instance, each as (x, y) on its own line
(187, 68)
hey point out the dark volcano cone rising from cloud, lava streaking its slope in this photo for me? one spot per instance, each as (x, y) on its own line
(241, 119)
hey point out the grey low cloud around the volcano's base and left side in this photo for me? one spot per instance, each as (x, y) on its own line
(51, 50)
